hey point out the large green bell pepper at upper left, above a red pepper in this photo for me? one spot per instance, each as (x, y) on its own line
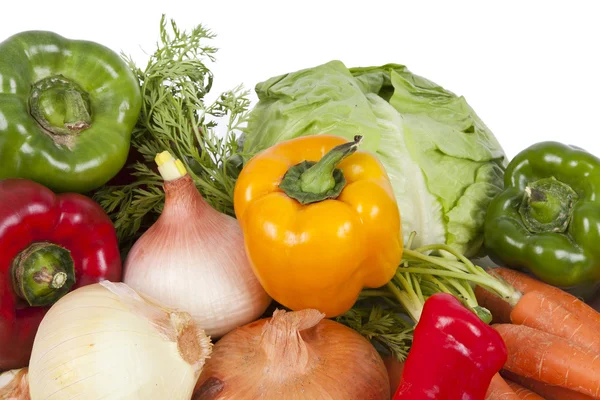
(67, 110)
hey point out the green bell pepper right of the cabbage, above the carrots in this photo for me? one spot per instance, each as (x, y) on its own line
(547, 219)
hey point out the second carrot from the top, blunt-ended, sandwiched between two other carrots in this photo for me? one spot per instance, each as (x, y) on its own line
(543, 313)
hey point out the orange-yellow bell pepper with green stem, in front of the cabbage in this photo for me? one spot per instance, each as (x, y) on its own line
(318, 252)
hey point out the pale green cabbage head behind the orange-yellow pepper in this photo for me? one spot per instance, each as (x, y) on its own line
(445, 165)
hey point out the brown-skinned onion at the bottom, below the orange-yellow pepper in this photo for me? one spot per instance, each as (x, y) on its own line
(293, 355)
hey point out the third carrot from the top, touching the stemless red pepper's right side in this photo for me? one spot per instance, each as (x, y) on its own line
(550, 359)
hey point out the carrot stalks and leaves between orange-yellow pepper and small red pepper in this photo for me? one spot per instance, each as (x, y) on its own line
(386, 315)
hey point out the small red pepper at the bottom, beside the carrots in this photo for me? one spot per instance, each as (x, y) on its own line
(454, 354)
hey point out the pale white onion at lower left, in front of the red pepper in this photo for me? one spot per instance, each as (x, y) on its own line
(104, 341)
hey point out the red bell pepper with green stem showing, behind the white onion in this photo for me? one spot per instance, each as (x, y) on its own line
(45, 239)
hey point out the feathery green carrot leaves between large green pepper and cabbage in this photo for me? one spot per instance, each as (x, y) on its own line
(175, 117)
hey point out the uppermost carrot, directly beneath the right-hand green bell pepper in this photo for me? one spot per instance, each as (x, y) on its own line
(526, 284)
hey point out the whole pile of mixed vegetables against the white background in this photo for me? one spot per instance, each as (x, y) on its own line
(327, 245)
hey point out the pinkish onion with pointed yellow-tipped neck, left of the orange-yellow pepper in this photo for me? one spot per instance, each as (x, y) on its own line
(193, 258)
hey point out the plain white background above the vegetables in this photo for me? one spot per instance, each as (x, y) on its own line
(530, 69)
